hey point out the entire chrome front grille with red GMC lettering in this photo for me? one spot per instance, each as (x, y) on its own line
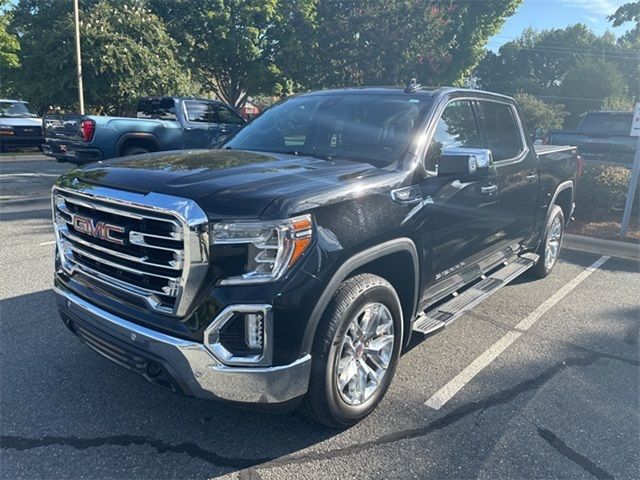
(152, 246)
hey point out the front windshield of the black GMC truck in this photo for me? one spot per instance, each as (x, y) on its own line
(374, 129)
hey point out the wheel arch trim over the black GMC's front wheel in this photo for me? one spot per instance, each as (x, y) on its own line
(352, 264)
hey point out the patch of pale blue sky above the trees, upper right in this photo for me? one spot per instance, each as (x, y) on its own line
(543, 14)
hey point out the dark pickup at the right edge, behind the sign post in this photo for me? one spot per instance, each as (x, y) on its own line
(601, 136)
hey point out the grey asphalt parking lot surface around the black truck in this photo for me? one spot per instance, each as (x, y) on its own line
(541, 380)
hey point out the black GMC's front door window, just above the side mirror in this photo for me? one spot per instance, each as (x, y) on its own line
(457, 128)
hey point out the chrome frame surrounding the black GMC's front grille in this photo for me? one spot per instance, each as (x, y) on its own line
(193, 220)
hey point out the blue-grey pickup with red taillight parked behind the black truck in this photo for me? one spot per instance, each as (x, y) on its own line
(161, 123)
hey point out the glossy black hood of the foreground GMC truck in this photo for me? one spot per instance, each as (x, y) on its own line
(234, 183)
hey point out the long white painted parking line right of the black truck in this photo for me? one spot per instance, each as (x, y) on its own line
(446, 393)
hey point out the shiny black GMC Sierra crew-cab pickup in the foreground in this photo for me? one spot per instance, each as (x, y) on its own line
(291, 266)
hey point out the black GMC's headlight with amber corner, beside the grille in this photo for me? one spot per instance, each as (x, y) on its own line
(272, 247)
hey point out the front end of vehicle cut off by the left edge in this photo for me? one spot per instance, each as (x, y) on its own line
(19, 127)
